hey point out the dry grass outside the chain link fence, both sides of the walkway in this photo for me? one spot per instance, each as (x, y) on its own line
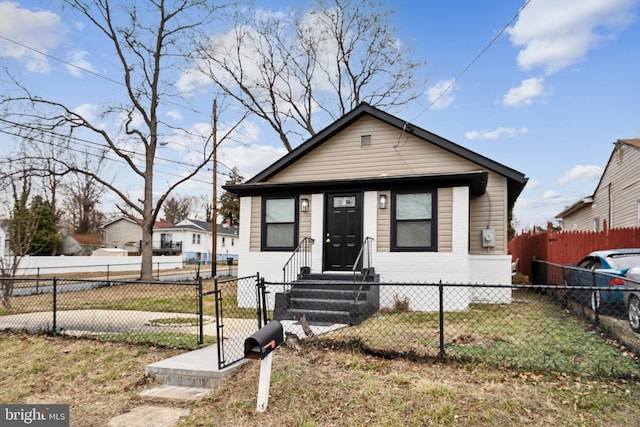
(312, 387)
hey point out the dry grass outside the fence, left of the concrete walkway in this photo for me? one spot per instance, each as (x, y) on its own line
(98, 380)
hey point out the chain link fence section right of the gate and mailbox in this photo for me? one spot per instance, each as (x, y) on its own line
(521, 327)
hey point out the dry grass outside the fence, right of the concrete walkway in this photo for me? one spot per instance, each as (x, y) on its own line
(318, 387)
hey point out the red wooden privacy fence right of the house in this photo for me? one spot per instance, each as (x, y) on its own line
(568, 247)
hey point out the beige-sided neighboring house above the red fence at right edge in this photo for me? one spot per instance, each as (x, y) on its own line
(616, 199)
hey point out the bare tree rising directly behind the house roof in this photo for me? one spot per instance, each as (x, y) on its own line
(295, 71)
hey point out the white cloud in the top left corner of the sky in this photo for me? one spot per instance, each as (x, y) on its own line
(40, 30)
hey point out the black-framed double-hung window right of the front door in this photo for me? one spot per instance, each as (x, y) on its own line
(413, 221)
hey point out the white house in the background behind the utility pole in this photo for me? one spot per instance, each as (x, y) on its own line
(195, 238)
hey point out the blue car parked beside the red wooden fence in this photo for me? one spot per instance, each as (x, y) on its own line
(603, 269)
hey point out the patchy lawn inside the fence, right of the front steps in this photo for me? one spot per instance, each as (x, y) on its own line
(531, 334)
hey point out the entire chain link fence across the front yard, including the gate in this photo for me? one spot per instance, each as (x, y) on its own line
(545, 327)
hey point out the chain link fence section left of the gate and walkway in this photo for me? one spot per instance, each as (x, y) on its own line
(158, 313)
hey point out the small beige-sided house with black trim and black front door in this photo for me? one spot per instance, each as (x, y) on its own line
(436, 211)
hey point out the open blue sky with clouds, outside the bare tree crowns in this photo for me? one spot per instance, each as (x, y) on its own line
(548, 97)
